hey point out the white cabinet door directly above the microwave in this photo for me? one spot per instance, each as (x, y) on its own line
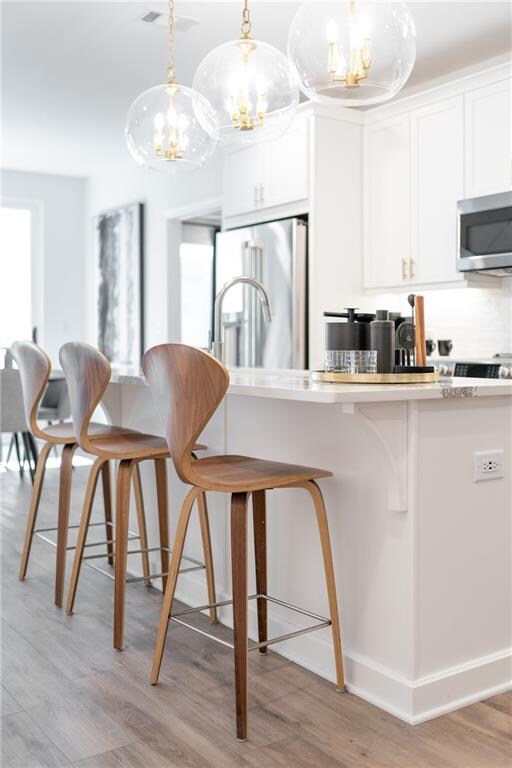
(489, 139)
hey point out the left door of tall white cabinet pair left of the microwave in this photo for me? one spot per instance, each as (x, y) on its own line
(386, 203)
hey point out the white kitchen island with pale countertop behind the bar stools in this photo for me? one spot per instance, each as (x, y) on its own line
(422, 552)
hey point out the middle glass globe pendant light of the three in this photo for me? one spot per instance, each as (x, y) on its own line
(250, 87)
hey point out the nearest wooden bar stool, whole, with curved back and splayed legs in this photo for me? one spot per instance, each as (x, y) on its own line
(188, 385)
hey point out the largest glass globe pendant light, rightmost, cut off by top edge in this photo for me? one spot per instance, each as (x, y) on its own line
(352, 53)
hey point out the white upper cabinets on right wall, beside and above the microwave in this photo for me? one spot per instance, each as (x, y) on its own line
(418, 163)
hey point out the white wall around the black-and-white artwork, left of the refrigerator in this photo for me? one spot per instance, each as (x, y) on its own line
(159, 192)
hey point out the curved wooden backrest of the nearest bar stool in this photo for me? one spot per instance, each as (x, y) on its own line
(187, 386)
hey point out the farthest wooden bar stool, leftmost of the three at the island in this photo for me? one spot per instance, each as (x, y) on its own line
(35, 368)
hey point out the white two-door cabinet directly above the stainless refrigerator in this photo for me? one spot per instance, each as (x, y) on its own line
(267, 175)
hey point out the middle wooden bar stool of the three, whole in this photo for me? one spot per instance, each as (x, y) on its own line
(88, 374)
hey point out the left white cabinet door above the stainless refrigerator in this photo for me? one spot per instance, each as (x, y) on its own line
(243, 173)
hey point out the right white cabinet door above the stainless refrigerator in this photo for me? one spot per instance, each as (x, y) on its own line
(286, 169)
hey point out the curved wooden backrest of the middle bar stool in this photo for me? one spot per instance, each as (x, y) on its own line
(87, 374)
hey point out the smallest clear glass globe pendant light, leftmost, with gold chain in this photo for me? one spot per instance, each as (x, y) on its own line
(162, 130)
